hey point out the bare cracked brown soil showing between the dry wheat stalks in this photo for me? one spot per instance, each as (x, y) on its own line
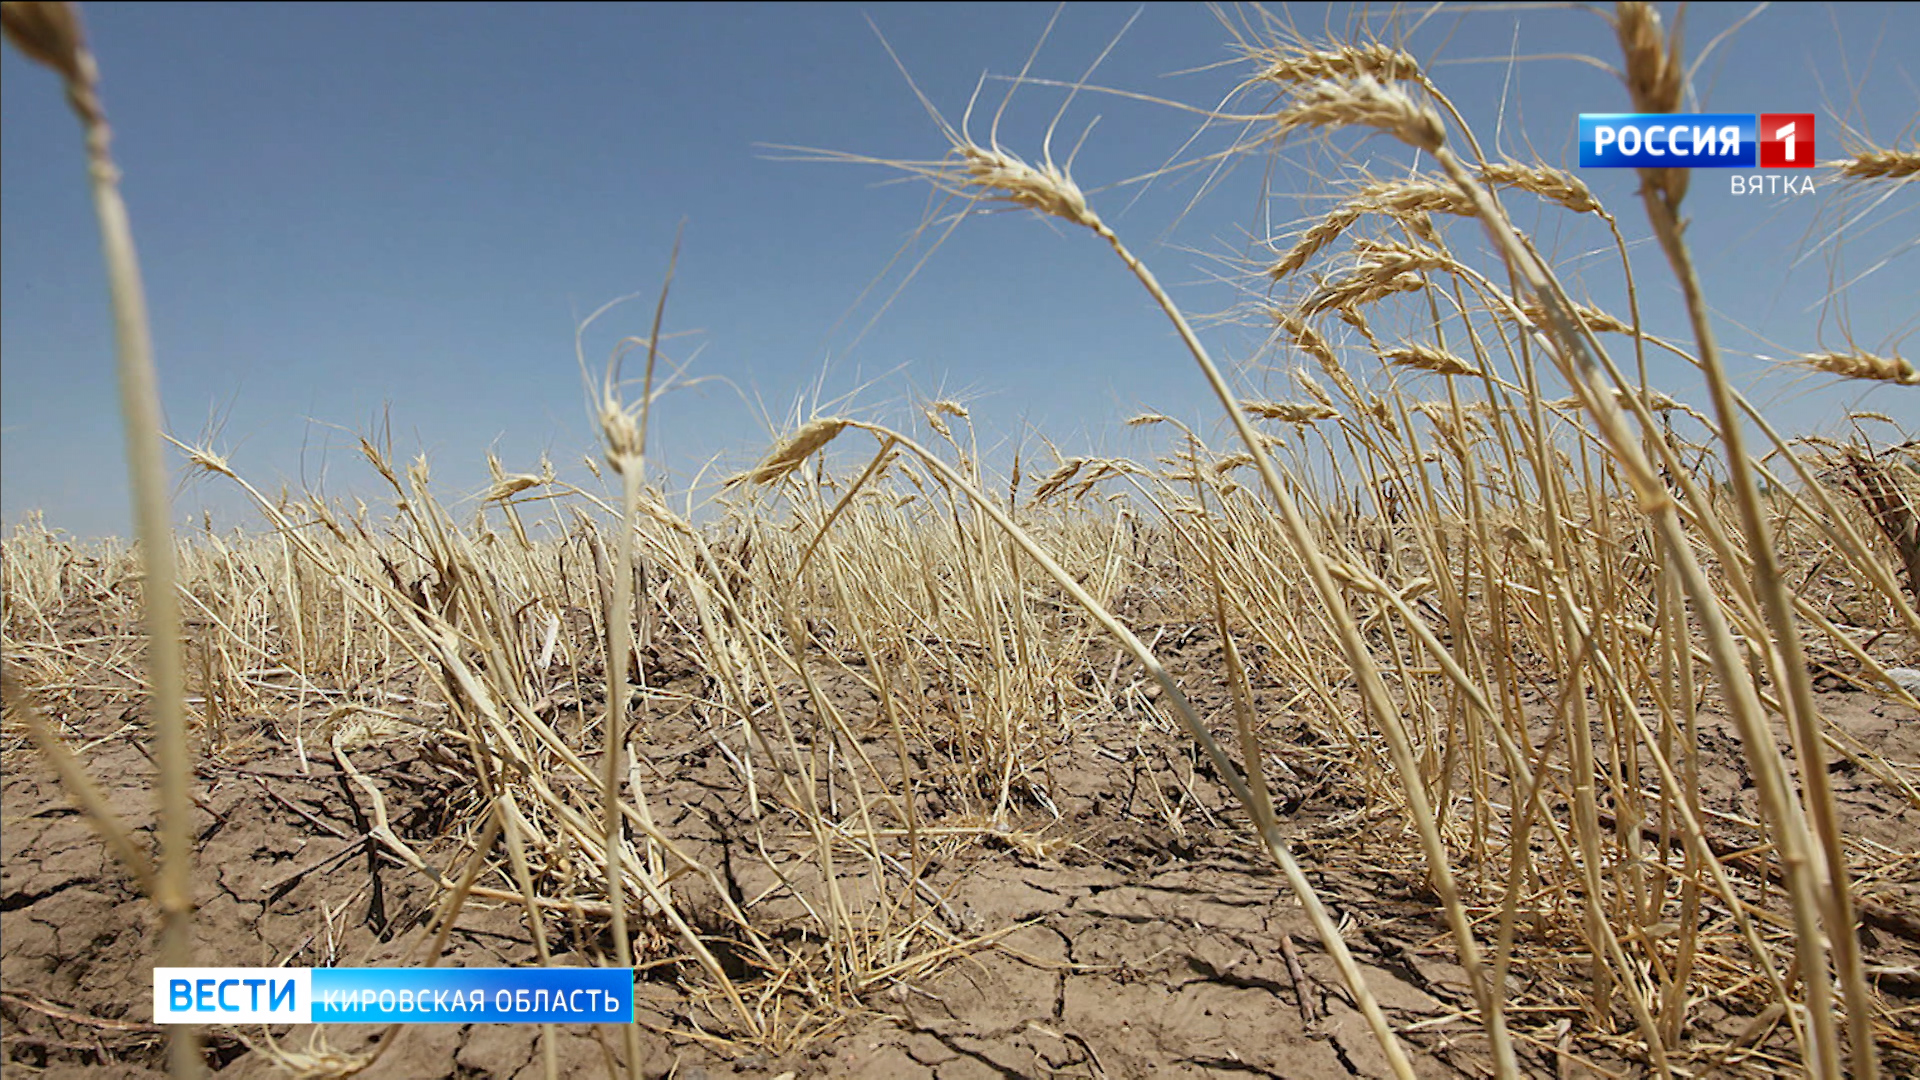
(1140, 935)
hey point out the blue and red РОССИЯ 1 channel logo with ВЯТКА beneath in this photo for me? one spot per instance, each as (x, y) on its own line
(1704, 141)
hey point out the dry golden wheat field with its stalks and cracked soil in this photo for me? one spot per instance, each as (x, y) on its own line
(1477, 710)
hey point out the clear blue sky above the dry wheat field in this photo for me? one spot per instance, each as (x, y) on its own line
(343, 209)
